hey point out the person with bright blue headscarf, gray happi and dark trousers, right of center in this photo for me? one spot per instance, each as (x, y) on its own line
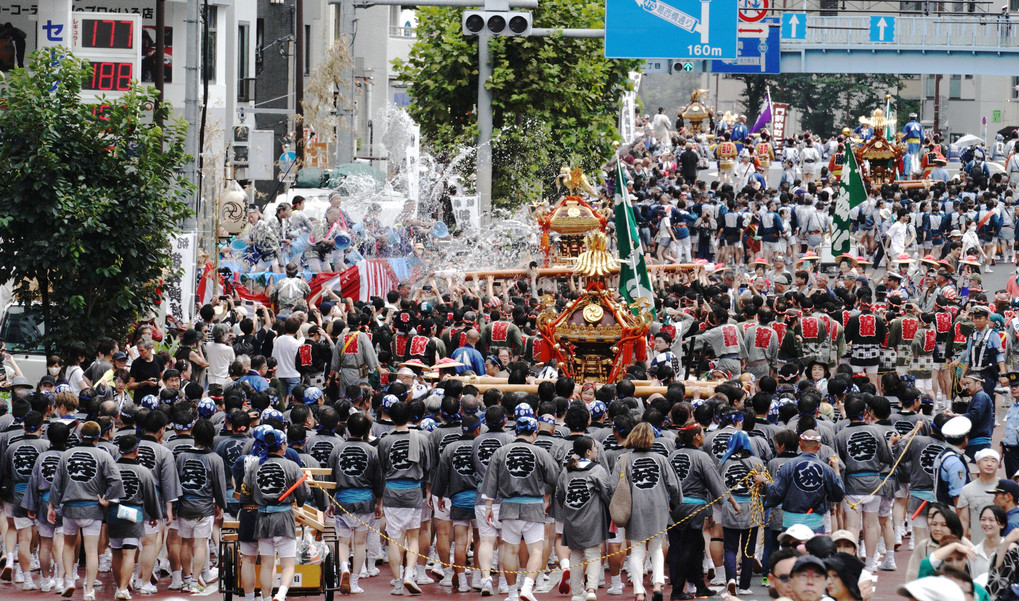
(737, 522)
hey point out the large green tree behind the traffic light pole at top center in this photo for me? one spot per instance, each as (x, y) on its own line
(555, 100)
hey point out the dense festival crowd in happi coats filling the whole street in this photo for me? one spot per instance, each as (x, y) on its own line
(848, 418)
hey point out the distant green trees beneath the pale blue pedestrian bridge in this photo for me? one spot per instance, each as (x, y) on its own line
(827, 102)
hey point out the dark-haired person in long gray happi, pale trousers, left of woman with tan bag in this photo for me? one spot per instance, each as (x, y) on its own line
(583, 491)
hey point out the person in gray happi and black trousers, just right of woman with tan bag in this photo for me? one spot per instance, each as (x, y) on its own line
(702, 484)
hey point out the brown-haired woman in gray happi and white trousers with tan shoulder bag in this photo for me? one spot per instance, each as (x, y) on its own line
(655, 491)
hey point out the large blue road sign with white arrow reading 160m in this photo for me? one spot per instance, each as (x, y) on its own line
(682, 29)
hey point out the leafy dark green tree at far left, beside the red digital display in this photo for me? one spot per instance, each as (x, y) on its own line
(88, 202)
